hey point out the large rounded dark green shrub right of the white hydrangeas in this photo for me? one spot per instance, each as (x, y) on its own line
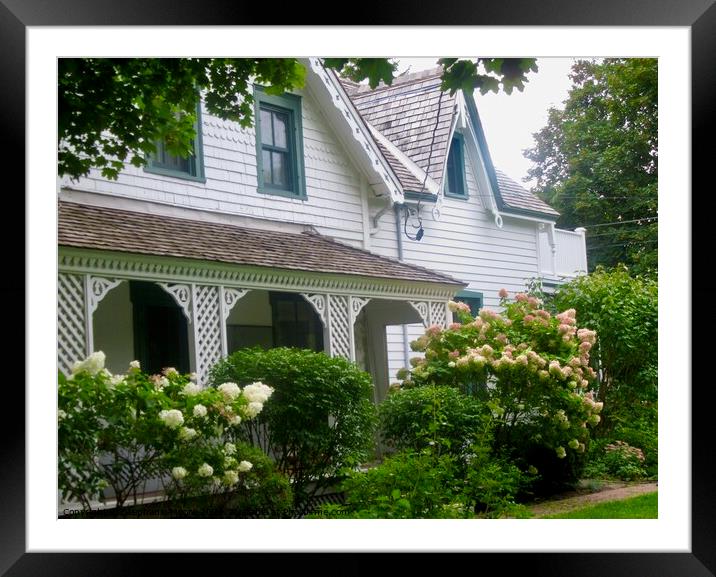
(321, 417)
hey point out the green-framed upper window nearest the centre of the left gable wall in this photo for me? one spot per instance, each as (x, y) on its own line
(279, 144)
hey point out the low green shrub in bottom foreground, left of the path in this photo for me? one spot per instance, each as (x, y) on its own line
(407, 485)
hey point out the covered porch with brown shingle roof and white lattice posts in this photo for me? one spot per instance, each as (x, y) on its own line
(166, 307)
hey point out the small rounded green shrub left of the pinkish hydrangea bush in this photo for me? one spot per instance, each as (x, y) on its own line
(440, 417)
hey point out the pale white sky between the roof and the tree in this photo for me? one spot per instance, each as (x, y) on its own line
(509, 120)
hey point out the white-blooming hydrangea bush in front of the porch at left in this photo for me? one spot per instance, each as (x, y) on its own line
(124, 430)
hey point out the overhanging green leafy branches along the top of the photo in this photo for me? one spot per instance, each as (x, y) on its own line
(115, 110)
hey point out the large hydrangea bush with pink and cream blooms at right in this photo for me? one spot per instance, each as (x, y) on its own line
(529, 368)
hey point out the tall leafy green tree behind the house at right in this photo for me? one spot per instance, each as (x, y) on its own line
(596, 160)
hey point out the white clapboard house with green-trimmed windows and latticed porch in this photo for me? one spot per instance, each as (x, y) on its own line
(301, 232)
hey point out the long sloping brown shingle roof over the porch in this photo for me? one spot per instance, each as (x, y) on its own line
(128, 231)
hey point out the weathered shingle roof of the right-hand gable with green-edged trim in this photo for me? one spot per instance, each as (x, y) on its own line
(406, 113)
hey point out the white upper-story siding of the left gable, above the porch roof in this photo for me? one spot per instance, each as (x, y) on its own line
(332, 182)
